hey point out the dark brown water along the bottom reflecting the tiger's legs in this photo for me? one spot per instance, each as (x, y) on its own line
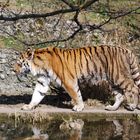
(101, 129)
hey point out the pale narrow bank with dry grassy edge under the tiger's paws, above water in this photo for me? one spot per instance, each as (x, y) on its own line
(47, 113)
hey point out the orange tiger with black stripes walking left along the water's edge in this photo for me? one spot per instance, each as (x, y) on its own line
(67, 66)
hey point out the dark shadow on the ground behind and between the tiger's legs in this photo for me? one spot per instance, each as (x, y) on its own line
(59, 98)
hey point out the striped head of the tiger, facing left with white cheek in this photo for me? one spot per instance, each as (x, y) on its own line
(23, 64)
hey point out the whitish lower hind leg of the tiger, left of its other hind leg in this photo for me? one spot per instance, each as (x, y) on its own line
(119, 98)
